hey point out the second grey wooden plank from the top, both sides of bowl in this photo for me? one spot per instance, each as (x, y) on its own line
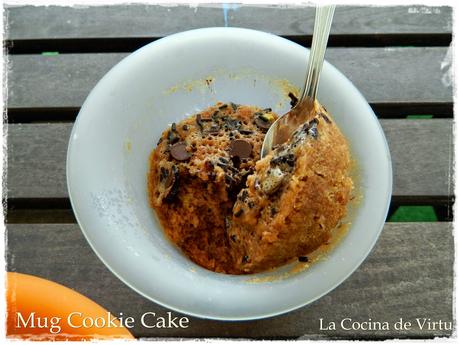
(385, 76)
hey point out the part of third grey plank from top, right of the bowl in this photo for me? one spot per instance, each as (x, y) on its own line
(422, 154)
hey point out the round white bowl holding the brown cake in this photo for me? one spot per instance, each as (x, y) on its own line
(120, 123)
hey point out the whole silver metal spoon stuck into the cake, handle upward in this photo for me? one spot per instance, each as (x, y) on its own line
(281, 130)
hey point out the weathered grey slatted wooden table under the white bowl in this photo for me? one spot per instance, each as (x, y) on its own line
(396, 56)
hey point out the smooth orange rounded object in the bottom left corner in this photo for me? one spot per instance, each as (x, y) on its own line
(39, 309)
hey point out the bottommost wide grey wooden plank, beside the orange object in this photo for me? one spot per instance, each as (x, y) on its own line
(409, 275)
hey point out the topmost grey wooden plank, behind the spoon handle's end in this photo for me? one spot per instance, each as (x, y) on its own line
(30, 22)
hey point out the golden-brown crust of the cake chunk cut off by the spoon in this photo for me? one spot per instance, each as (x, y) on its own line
(298, 217)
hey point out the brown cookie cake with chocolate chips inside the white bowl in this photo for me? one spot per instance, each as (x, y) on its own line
(233, 213)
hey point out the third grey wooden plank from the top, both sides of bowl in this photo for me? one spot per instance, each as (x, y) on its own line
(421, 154)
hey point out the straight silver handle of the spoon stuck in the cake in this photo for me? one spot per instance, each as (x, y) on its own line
(322, 24)
